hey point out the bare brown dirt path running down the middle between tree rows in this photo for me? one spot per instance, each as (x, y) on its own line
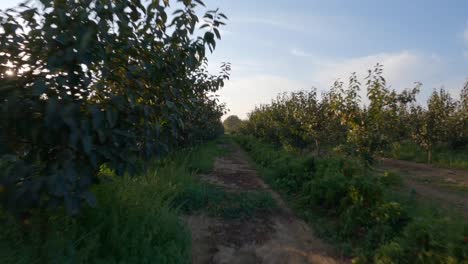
(276, 238)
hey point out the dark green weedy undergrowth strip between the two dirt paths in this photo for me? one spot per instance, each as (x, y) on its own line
(359, 211)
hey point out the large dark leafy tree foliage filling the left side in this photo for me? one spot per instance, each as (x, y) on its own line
(99, 82)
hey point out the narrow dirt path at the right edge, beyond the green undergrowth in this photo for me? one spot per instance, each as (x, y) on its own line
(449, 187)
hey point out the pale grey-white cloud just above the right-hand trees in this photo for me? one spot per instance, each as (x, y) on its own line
(400, 69)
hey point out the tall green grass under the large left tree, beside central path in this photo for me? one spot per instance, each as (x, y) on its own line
(137, 219)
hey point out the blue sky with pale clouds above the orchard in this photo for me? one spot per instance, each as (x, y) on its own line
(279, 46)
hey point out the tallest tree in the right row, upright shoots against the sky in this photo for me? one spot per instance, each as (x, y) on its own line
(373, 128)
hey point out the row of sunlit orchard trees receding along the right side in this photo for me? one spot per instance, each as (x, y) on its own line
(339, 119)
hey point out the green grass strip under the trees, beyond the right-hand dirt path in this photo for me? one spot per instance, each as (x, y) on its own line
(443, 156)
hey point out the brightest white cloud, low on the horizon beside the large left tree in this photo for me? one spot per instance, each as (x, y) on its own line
(243, 94)
